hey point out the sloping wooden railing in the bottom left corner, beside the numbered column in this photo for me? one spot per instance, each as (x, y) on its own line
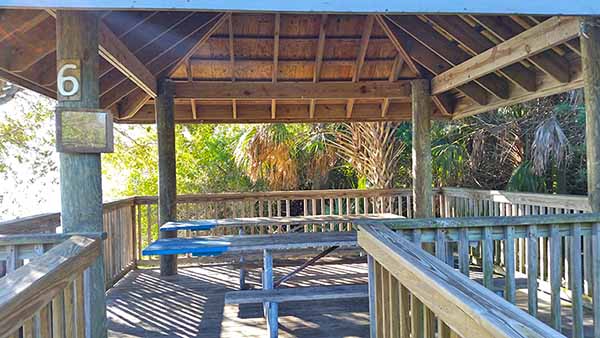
(47, 296)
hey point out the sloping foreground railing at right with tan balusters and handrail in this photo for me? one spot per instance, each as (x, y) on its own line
(413, 294)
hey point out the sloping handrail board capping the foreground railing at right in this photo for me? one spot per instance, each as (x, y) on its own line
(466, 307)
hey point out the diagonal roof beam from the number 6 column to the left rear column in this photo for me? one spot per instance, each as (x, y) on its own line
(117, 54)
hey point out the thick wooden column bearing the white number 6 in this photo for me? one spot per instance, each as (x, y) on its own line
(80, 174)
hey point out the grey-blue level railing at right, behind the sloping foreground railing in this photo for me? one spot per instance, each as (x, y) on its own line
(546, 252)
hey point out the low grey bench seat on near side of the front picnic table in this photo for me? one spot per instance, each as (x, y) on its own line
(297, 294)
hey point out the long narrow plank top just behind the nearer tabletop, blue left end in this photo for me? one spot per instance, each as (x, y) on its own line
(208, 224)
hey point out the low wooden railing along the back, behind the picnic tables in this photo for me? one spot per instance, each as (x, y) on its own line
(276, 203)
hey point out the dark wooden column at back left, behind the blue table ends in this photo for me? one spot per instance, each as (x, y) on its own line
(167, 185)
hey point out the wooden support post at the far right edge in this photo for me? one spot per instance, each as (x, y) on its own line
(590, 54)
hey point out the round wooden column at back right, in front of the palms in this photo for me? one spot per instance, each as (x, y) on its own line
(421, 148)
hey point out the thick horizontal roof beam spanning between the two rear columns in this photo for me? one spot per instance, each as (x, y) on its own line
(291, 90)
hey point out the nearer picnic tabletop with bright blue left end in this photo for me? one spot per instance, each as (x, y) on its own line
(215, 245)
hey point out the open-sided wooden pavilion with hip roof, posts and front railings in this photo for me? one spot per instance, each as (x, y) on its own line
(240, 62)
